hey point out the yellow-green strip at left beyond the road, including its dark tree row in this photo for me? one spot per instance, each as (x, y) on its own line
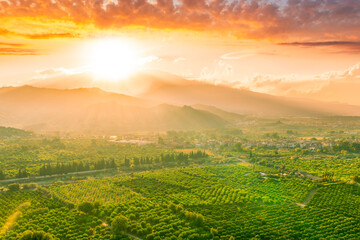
(43, 157)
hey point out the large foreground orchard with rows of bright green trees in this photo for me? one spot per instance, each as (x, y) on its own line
(217, 202)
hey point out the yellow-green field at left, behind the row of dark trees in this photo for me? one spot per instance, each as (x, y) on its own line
(32, 154)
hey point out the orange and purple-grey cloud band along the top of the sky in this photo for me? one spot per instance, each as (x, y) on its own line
(252, 19)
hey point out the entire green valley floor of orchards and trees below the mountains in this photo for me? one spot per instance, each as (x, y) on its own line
(278, 179)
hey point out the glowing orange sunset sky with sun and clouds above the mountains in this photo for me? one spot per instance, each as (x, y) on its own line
(299, 48)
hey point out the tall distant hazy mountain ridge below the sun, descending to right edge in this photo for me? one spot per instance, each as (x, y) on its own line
(167, 88)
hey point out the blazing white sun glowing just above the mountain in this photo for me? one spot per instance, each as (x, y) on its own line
(113, 59)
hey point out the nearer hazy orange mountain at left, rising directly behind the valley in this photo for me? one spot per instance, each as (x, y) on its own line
(95, 111)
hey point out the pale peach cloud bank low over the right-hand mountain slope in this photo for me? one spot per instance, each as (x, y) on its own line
(329, 86)
